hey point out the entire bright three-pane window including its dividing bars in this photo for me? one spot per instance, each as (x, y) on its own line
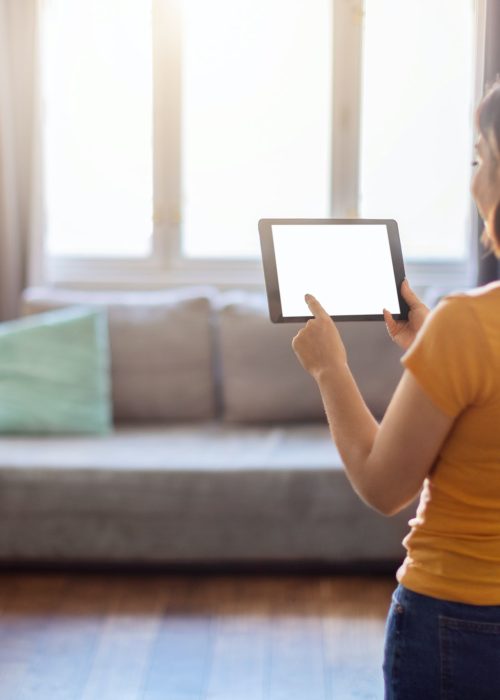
(172, 126)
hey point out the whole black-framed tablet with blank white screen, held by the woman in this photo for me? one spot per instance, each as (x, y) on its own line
(354, 268)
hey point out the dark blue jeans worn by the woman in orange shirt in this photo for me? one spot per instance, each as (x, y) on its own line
(441, 650)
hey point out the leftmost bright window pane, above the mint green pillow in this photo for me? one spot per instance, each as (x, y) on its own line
(97, 90)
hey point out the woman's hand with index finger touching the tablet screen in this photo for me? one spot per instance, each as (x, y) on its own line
(318, 345)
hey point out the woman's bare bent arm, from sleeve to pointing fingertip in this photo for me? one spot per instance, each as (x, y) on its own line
(387, 463)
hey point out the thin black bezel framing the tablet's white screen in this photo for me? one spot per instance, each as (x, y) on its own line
(271, 274)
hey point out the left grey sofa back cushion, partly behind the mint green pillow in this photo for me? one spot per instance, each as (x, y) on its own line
(161, 349)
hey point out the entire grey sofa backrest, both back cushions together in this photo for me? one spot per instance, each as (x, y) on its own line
(196, 353)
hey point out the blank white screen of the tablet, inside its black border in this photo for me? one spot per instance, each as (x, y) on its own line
(348, 268)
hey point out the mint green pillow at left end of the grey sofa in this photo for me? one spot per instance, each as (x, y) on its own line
(54, 373)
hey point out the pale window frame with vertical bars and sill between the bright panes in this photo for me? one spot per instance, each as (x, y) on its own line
(166, 266)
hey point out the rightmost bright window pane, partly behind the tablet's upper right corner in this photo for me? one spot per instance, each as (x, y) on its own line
(417, 122)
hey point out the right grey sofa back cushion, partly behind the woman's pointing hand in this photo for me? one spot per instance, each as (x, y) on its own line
(263, 378)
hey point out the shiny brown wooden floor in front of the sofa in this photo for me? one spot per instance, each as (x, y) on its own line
(208, 637)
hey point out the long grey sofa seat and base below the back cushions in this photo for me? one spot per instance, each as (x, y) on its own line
(188, 493)
